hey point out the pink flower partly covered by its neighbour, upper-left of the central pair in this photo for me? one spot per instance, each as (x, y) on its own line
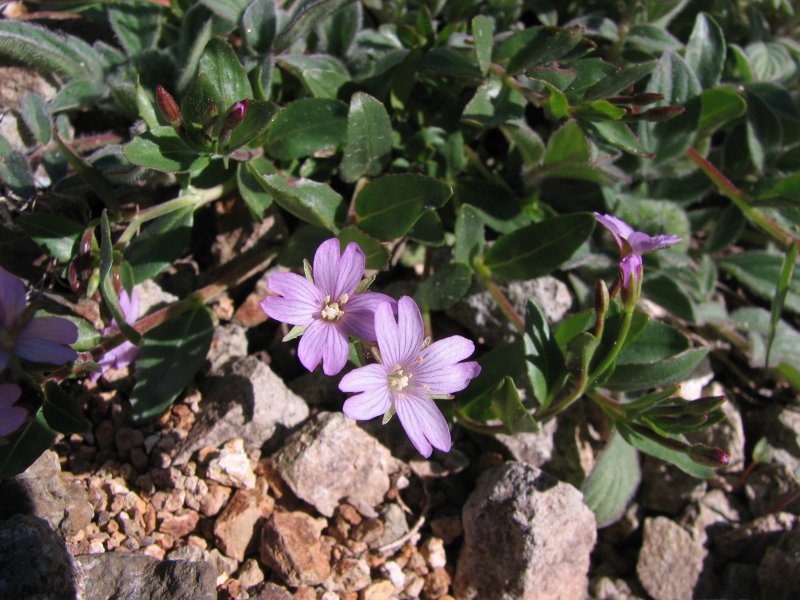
(329, 307)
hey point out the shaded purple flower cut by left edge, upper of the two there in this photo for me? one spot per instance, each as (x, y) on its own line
(40, 339)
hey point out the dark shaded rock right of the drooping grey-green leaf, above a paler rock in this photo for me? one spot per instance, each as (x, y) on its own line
(667, 489)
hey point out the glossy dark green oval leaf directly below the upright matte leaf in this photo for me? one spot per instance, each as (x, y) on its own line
(389, 206)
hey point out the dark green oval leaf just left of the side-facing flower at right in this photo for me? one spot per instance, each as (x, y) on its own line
(539, 249)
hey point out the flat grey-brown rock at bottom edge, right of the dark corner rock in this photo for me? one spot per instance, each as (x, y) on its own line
(135, 576)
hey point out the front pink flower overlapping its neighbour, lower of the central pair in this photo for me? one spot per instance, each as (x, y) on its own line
(410, 375)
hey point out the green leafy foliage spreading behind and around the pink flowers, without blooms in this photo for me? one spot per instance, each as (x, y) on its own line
(486, 131)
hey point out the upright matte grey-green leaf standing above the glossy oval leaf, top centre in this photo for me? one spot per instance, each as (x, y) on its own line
(369, 139)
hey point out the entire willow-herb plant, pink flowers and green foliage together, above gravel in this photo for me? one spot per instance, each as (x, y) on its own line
(447, 148)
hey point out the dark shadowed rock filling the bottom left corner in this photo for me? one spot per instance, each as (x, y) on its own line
(35, 562)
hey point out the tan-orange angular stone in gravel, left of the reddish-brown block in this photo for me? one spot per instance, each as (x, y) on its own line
(235, 530)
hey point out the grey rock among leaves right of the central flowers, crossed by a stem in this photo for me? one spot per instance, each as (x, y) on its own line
(479, 313)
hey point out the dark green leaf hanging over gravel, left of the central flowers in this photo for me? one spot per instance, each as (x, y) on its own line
(169, 357)
